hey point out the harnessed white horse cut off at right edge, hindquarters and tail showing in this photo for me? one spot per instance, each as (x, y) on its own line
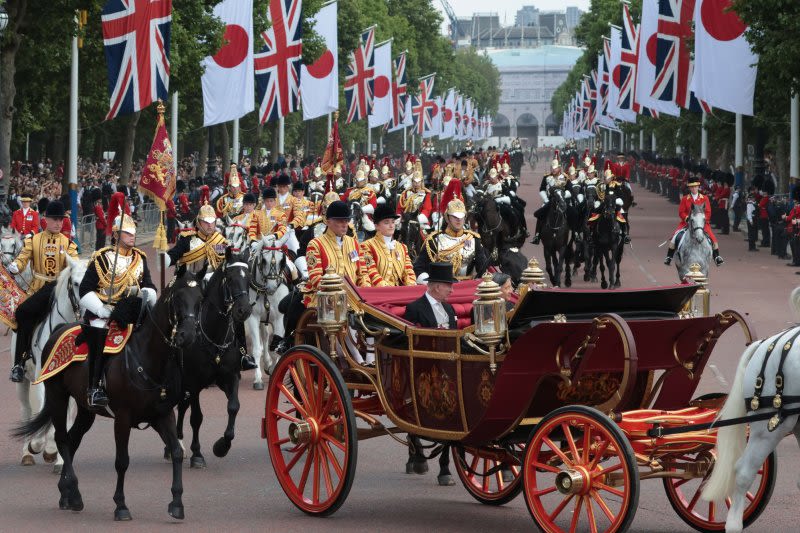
(739, 458)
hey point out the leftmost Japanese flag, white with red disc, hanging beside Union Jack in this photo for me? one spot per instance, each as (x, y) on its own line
(228, 82)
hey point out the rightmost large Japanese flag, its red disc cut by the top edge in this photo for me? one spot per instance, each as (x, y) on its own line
(725, 67)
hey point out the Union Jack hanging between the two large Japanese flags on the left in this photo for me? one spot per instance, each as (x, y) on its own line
(277, 65)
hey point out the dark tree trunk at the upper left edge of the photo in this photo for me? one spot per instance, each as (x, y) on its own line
(17, 10)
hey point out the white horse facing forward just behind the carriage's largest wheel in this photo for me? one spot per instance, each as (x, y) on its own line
(271, 272)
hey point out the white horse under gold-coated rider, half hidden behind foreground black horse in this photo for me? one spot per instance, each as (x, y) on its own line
(31, 397)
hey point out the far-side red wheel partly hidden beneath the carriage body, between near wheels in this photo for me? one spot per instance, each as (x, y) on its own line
(487, 480)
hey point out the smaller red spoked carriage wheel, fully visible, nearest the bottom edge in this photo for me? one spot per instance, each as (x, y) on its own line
(580, 473)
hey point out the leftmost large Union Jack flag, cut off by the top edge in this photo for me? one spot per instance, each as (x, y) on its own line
(136, 36)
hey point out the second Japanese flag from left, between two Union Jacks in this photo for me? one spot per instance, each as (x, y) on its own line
(319, 82)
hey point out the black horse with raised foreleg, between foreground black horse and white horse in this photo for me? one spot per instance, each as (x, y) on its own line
(214, 358)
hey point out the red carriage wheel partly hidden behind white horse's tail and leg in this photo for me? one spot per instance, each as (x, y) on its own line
(684, 495)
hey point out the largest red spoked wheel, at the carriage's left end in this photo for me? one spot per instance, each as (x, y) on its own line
(311, 431)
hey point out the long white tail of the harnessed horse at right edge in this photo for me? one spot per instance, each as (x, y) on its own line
(731, 440)
